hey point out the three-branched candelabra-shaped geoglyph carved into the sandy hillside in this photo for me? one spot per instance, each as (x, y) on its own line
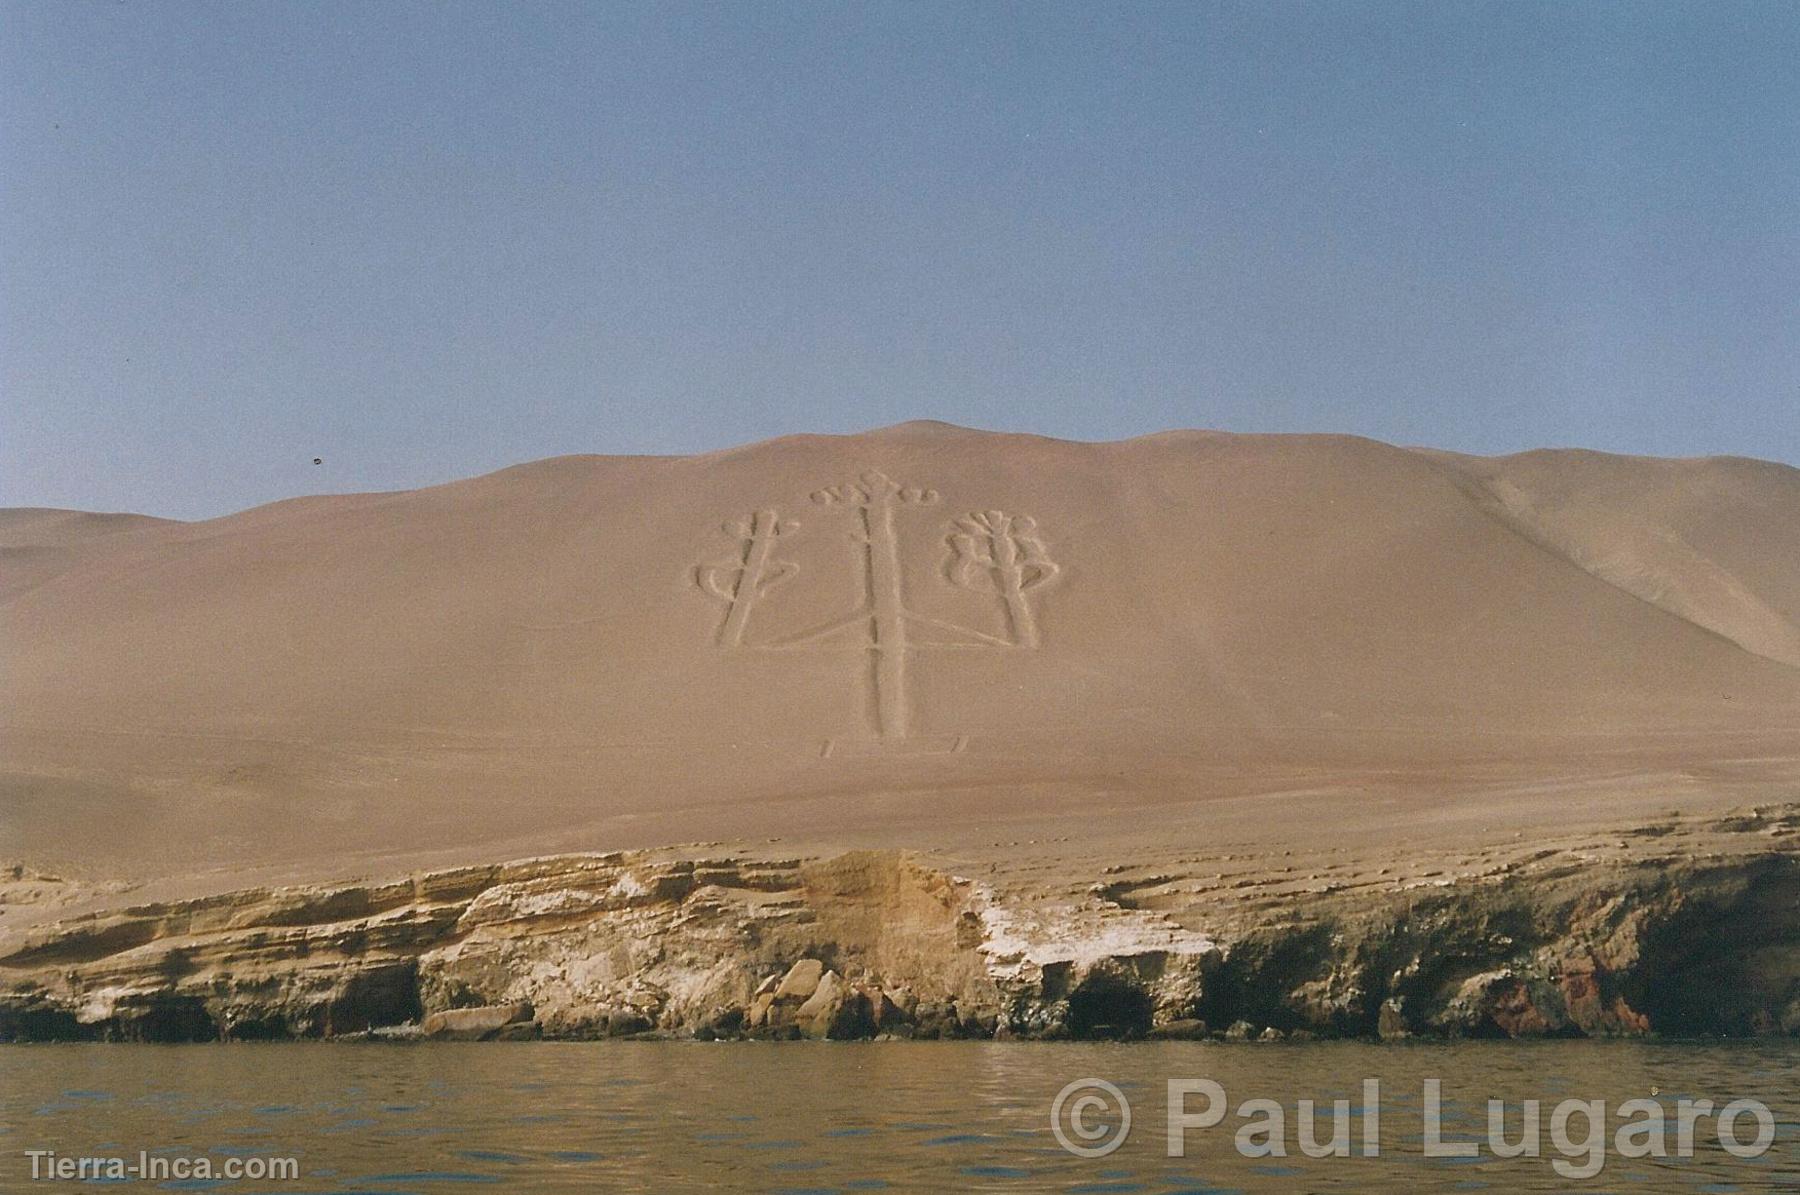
(989, 552)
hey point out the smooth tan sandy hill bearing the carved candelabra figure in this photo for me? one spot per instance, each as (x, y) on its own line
(913, 634)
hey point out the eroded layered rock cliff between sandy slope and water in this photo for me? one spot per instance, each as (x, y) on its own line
(1684, 928)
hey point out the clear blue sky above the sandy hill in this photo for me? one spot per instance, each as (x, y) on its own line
(429, 240)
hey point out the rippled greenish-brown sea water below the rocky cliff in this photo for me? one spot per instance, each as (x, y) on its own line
(904, 1117)
